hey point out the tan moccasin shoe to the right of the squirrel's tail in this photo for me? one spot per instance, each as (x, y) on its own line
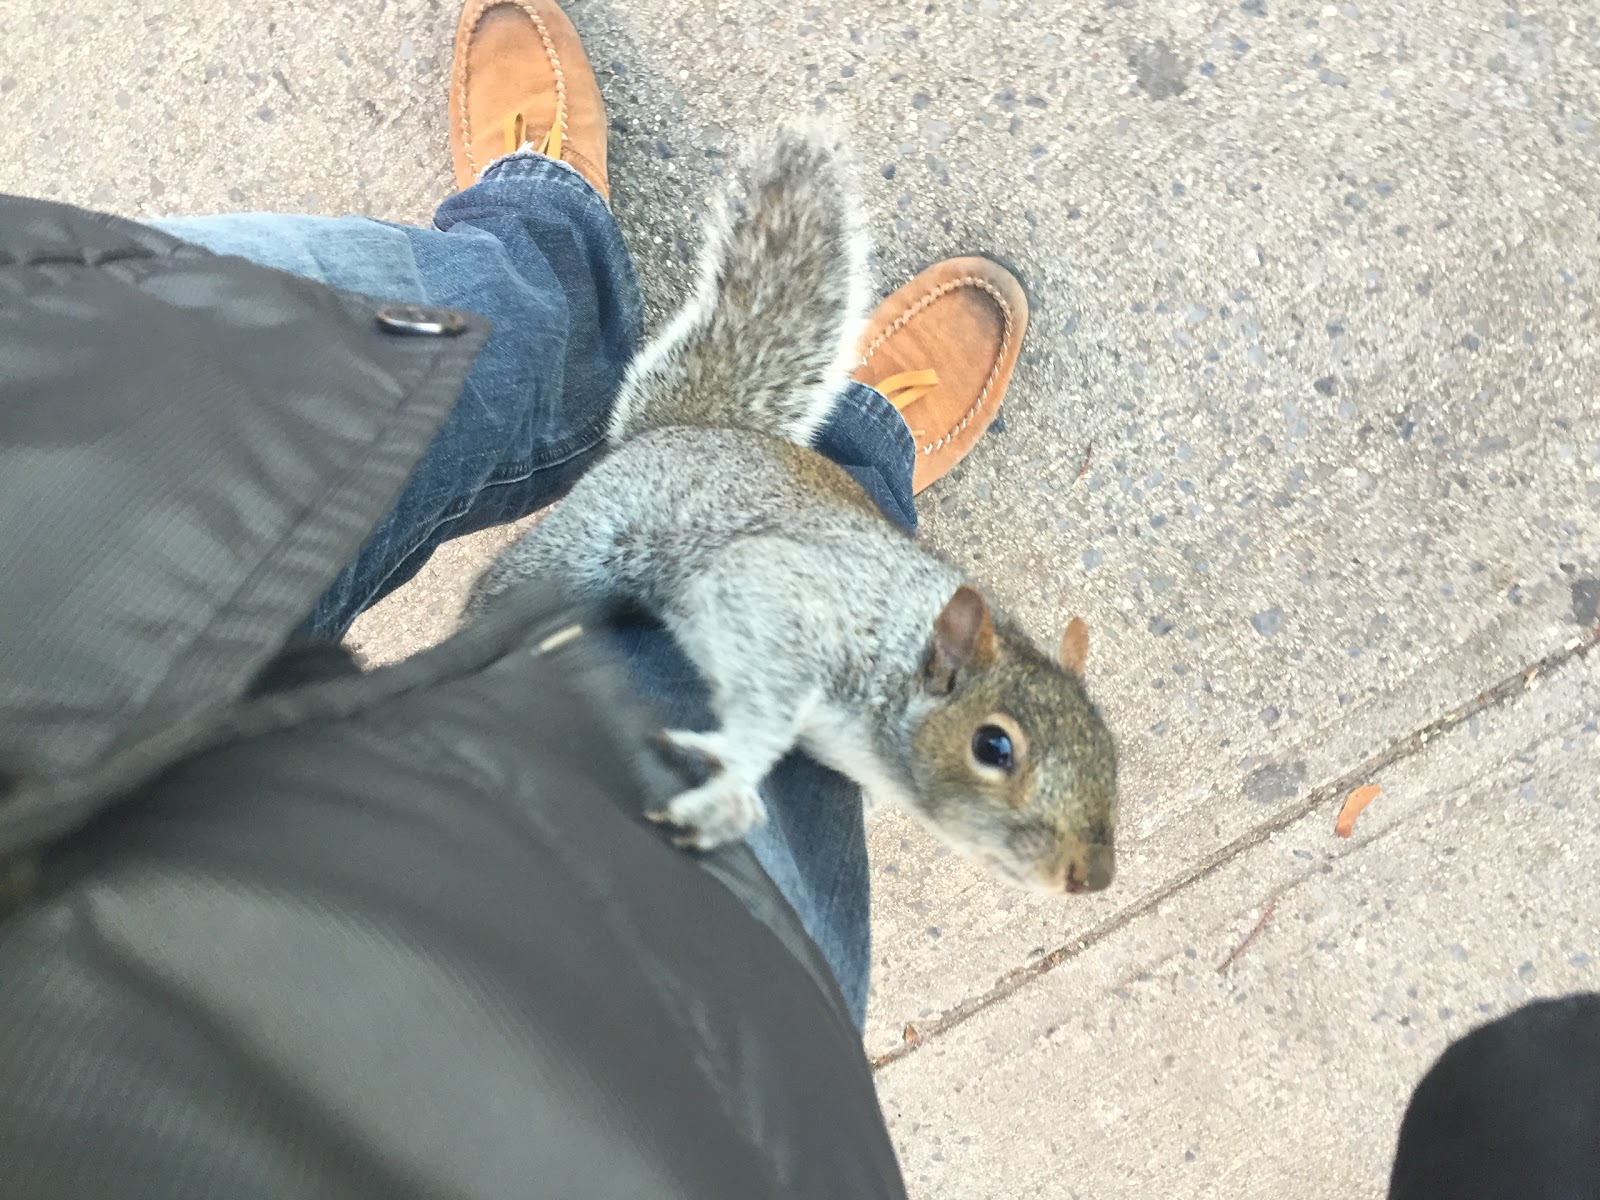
(943, 350)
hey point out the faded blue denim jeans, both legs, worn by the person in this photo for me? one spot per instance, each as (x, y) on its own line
(534, 249)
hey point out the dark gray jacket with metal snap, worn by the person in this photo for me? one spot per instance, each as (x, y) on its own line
(289, 930)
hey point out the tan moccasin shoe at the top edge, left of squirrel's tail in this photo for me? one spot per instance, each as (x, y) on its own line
(521, 79)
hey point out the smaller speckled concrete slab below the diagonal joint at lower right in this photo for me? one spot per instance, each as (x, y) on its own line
(1146, 1071)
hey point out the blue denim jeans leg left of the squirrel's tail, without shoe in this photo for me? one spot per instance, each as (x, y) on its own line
(534, 249)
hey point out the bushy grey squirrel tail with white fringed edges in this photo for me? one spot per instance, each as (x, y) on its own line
(769, 337)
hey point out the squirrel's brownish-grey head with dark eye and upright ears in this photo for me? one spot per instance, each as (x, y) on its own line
(1012, 762)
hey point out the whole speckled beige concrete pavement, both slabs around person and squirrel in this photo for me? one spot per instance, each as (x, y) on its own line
(1314, 303)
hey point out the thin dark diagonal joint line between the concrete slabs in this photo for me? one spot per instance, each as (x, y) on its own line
(1404, 748)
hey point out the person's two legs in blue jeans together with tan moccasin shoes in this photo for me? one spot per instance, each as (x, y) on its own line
(534, 247)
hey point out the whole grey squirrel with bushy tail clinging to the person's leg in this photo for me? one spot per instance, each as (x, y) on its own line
(812, 618)
